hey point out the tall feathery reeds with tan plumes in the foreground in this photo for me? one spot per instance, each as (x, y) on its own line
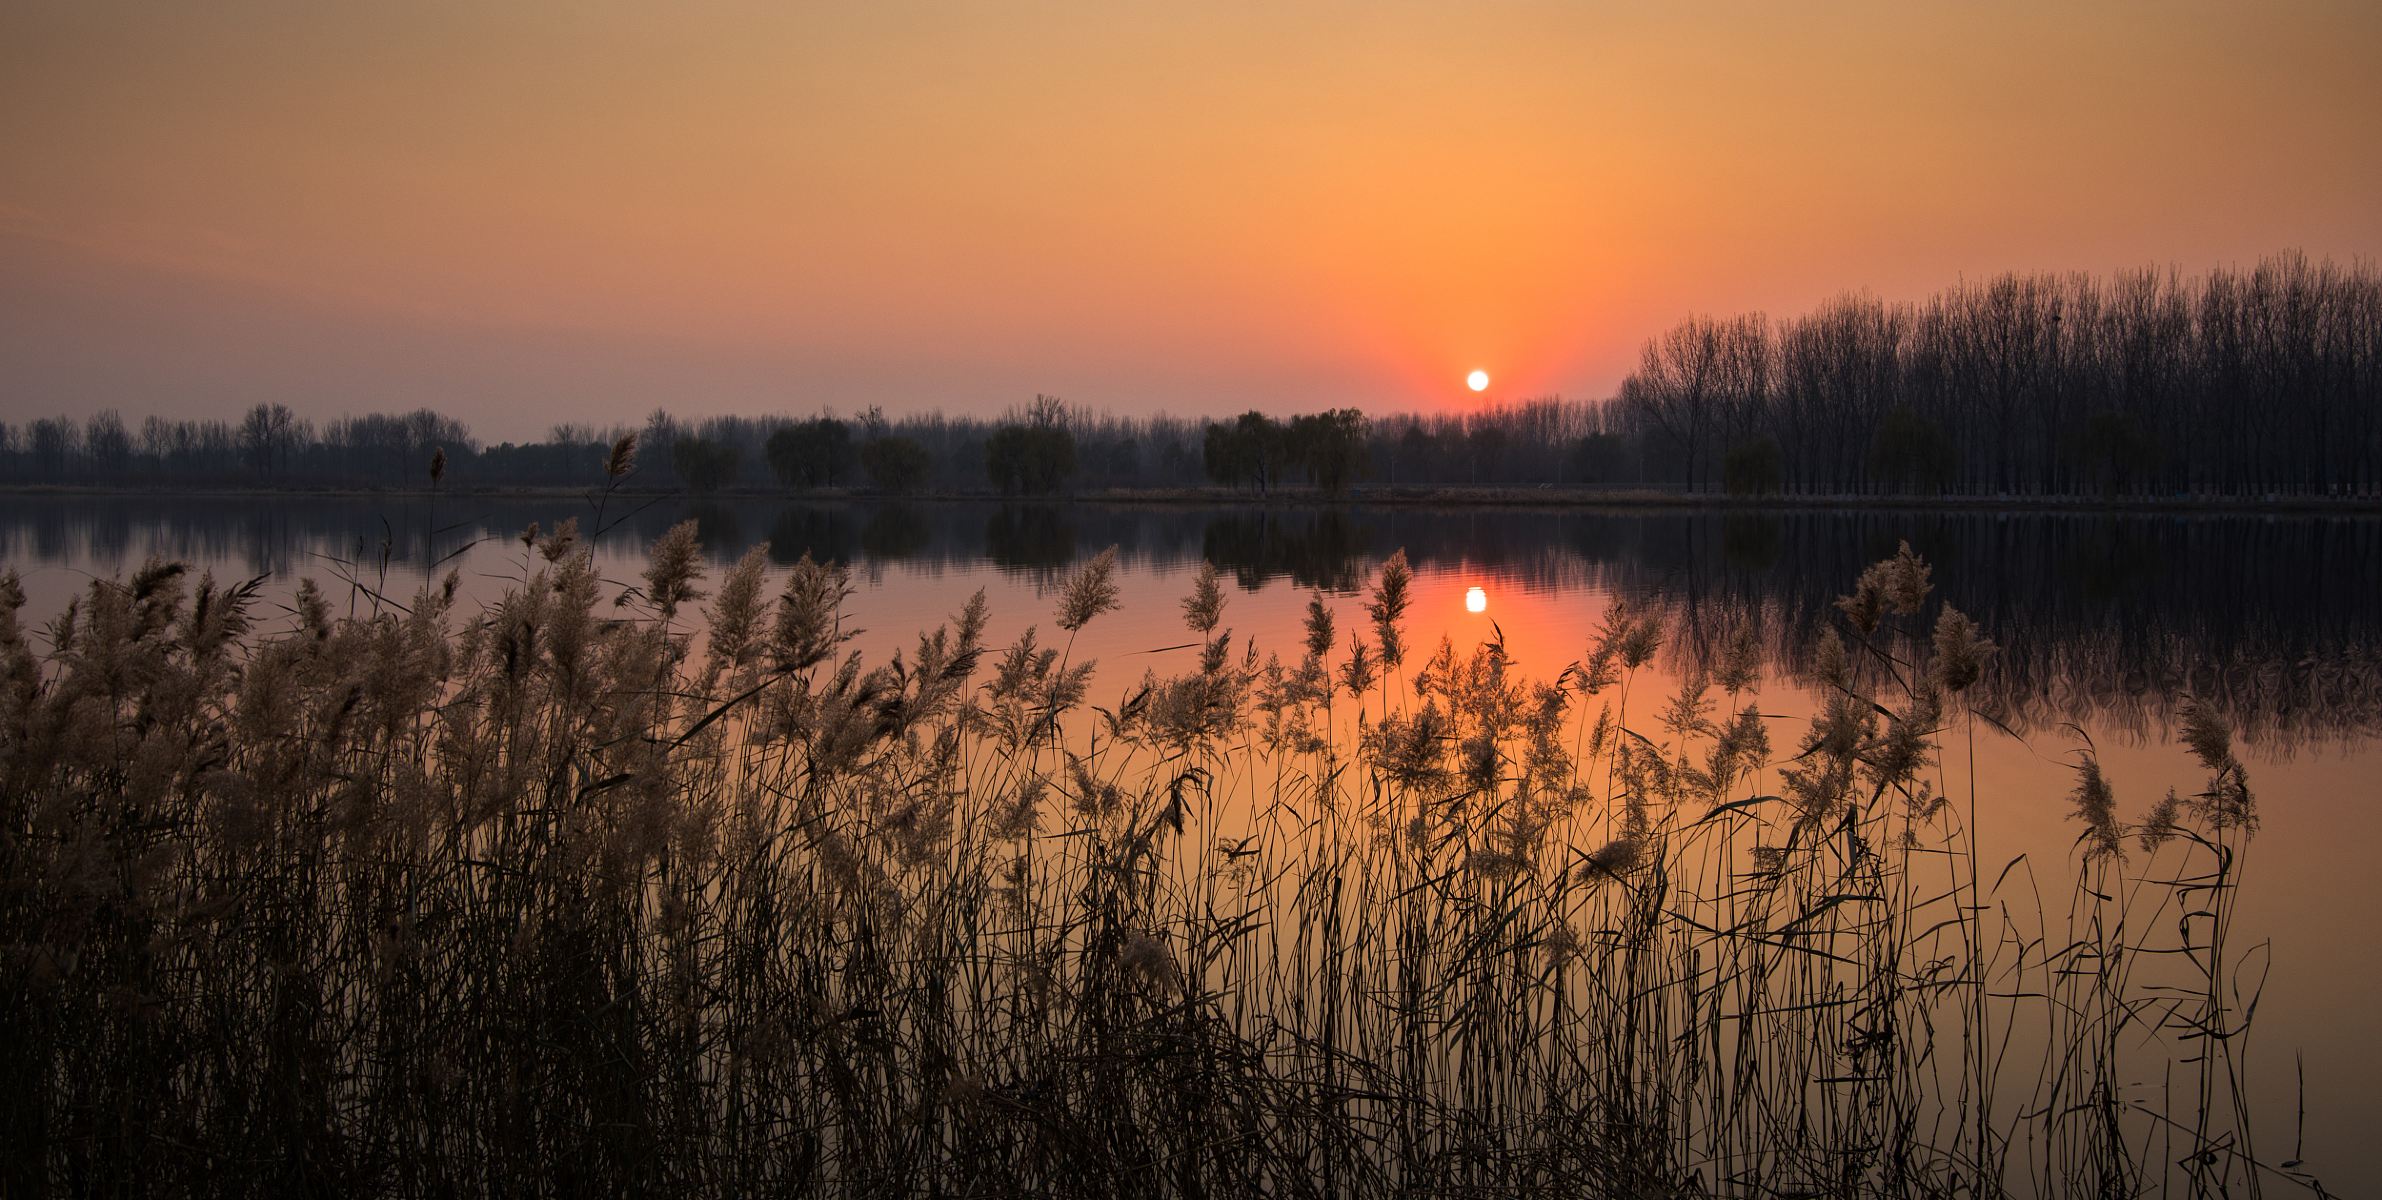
(637, 887)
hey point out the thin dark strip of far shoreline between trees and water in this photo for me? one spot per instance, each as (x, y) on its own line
(1383, 496)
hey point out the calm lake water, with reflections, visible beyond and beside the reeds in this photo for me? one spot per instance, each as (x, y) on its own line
(2104, 625)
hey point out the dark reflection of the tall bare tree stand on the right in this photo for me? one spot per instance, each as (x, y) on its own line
(2104, 620)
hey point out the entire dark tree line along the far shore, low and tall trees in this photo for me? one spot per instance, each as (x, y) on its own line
(2236, 385)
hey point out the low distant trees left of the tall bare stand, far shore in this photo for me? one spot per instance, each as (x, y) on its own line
(1037, 449)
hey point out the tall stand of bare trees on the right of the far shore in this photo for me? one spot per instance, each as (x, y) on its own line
(2243, 382)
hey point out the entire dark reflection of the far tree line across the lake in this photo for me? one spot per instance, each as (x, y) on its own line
(2107, 618)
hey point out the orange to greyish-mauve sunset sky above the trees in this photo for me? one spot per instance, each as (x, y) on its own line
(528, 213)
